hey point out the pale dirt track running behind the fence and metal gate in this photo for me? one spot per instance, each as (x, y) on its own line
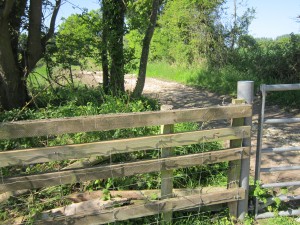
(181, 96)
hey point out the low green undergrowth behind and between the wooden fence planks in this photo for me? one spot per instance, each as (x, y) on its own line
(79, 101)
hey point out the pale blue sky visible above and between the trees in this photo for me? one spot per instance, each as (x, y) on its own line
(273, 18)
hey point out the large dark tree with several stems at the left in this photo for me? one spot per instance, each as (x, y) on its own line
(18, 56)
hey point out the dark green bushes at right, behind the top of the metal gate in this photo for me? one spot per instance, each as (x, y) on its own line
(271, 62)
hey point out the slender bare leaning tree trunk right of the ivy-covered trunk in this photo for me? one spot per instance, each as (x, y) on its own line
(138, 90)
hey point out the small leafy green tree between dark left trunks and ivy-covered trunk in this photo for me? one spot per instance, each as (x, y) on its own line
(77, 40)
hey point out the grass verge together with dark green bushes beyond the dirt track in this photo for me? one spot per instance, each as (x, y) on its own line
(264, 61)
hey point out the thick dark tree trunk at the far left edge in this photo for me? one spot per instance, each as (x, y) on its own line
(13, 91)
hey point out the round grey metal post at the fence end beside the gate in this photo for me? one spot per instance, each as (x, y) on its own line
(245, 90)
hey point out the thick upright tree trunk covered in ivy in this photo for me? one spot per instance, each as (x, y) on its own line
(112, 46)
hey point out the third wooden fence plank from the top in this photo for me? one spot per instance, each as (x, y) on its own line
(120, 170)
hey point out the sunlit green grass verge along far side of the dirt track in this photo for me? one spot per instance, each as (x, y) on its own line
(222, 81)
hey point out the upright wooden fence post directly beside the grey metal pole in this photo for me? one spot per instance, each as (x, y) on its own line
(234, 171)
